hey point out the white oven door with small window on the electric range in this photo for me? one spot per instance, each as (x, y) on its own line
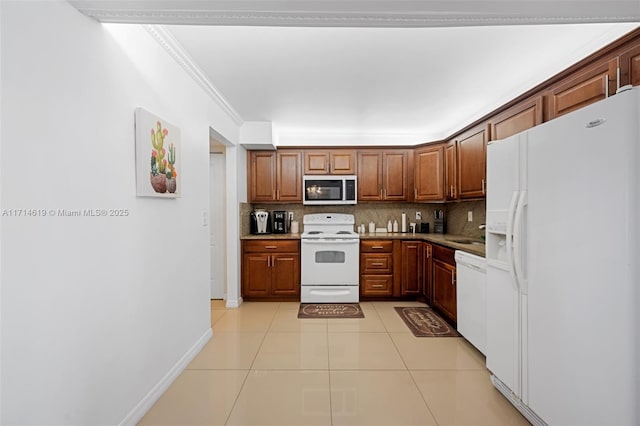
(327, 261)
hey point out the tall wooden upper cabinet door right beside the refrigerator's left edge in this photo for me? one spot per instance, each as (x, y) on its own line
(472, 148)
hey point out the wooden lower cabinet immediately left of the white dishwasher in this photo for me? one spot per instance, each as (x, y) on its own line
(444, 282)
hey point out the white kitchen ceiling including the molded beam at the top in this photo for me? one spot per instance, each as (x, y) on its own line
(372, 72)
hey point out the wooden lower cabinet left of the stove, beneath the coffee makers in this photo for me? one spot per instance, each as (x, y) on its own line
(271, 269)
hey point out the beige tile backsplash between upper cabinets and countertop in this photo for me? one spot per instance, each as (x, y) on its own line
(456, 214)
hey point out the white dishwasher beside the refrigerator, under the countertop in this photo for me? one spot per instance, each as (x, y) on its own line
(471, 297)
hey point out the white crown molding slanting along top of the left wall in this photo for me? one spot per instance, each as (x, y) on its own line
(164, 37)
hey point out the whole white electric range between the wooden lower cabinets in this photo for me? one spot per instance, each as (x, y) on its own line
(330, 251)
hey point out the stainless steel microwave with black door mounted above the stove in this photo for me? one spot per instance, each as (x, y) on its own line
(329, 189)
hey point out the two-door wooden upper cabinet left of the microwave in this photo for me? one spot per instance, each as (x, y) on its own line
(275, 176)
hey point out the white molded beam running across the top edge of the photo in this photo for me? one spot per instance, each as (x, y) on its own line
(359, 13)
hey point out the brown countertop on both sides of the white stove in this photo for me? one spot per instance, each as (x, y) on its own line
(456, 242)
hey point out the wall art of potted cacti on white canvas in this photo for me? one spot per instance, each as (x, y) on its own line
(157, 156)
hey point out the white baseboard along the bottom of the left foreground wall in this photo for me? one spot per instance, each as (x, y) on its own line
(156, 392)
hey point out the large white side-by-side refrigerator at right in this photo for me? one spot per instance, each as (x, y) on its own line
(562, 252)
